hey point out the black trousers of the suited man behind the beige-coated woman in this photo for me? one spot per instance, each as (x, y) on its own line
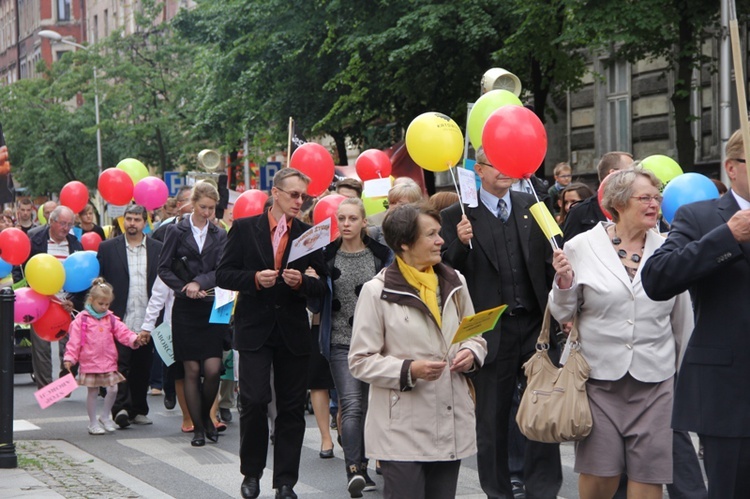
(495, 384)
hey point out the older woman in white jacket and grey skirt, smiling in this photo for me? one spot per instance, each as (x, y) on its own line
(631, 342)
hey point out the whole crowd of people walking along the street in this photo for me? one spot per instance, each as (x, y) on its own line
(370, 320)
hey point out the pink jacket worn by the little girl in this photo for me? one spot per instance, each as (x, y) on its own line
(91, 342)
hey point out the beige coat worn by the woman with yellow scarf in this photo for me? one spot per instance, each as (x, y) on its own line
(434, 420)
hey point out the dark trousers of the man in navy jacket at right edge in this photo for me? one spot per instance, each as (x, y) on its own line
(727, 463)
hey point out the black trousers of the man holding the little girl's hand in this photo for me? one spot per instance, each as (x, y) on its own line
(132, 393)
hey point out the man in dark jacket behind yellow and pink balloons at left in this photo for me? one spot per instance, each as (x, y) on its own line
(55, 239)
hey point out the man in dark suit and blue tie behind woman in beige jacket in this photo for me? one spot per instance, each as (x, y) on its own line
(509, 263)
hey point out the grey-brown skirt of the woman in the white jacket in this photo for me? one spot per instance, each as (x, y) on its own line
(632, 424)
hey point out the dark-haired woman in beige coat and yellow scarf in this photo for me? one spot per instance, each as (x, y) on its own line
(420, 419)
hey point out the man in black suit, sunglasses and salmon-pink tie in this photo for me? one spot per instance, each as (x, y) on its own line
(272, 329)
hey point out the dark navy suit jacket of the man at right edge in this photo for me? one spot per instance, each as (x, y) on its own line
(702, 256)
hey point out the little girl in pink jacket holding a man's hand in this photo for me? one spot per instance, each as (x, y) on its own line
(91, 344)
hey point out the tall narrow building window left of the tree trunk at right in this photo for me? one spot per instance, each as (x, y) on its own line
(618, 106)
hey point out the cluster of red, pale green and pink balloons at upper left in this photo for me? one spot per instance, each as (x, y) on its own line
(130, 180)
